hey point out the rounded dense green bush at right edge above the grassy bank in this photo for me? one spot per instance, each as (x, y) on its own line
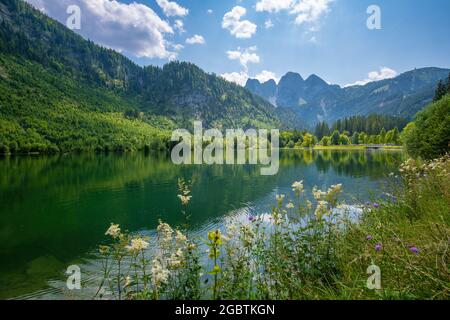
(429, 137)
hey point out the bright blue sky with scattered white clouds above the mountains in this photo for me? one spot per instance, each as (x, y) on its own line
(325, 37)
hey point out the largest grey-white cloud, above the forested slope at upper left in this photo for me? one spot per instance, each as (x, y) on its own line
(134, 28)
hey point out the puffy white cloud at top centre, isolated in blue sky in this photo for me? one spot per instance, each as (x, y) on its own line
(241, 29)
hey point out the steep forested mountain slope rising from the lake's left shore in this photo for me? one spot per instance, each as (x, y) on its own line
(61, 92)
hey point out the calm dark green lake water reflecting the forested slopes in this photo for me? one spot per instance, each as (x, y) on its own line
(54, 210)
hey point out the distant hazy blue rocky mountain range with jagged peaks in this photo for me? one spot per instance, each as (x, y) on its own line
(314, 100)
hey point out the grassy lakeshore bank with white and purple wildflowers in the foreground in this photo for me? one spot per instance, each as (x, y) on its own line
(274, 256)
